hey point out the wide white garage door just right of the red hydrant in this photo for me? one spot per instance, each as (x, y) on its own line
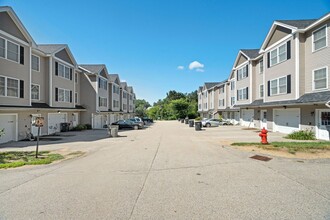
(286, 120)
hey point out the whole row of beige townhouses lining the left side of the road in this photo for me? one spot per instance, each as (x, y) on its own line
(44, 80)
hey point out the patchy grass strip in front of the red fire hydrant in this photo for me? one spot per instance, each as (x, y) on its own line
(291, 147)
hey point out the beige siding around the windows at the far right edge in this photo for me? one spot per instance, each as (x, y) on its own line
(317, 59)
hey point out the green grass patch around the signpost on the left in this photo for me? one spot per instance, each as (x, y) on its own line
(13, 159)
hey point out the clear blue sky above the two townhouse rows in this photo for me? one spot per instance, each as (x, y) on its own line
(145, 41)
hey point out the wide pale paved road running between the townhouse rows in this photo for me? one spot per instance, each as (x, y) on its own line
(168, 171)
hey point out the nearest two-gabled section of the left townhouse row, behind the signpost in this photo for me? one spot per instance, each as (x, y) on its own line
(35, 80)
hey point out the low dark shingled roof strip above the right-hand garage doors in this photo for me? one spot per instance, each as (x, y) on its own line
(309, 98)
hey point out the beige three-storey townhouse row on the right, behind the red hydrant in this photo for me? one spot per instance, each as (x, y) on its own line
(284, 85)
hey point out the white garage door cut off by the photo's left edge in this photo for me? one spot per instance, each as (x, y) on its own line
(8, 123)
